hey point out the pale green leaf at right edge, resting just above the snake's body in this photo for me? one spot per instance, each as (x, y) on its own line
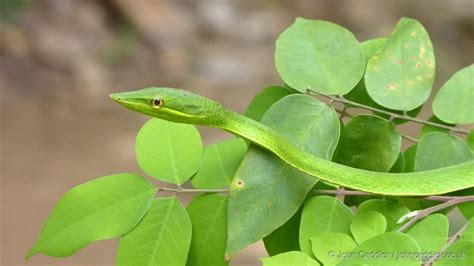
(436, 150)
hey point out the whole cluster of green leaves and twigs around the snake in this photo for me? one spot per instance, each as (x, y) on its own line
(301, 221)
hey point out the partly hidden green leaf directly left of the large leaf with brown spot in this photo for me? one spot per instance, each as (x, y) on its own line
(208, 213)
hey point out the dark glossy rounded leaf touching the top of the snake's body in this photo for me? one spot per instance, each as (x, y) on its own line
(369, 142)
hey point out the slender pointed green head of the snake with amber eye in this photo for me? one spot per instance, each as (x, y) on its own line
(171, 104)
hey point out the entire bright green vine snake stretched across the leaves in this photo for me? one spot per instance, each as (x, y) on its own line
(185, 107)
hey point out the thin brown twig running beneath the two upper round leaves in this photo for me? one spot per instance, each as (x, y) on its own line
(394, 115)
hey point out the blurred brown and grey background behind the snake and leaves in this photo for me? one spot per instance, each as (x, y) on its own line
(59, 59)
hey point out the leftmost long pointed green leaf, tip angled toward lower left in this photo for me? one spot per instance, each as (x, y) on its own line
(103, 208)
